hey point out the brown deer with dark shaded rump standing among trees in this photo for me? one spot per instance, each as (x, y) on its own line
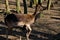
(22, 20)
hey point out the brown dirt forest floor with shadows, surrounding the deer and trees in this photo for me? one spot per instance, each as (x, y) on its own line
(47, 27)
